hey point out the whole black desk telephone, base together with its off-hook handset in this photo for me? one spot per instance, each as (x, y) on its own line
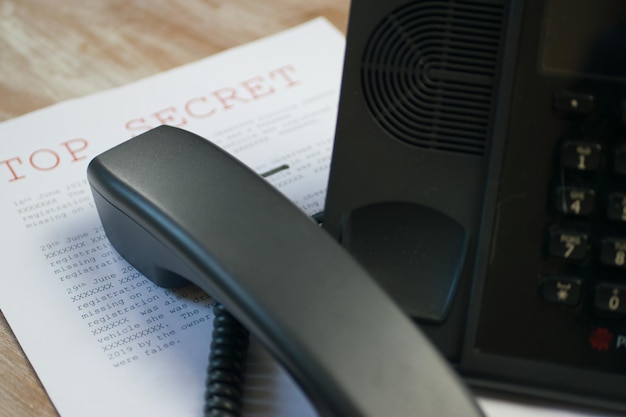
(478, 175)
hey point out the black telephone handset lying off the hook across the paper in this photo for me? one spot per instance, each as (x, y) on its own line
(178, 208)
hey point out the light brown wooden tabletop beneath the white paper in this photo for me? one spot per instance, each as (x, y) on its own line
(51, 51)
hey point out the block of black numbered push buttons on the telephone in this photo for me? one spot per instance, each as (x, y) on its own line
(586, 232)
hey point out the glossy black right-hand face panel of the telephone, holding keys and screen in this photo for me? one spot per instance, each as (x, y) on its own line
(561, 319)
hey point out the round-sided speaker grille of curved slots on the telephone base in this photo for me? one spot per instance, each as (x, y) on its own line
(428, 73)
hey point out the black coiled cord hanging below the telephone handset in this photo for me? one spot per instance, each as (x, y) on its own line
(229, 347)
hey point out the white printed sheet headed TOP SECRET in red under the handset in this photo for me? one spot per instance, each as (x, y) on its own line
(103, 339)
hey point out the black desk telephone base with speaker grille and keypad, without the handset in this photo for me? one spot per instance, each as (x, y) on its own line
(506, 120)
